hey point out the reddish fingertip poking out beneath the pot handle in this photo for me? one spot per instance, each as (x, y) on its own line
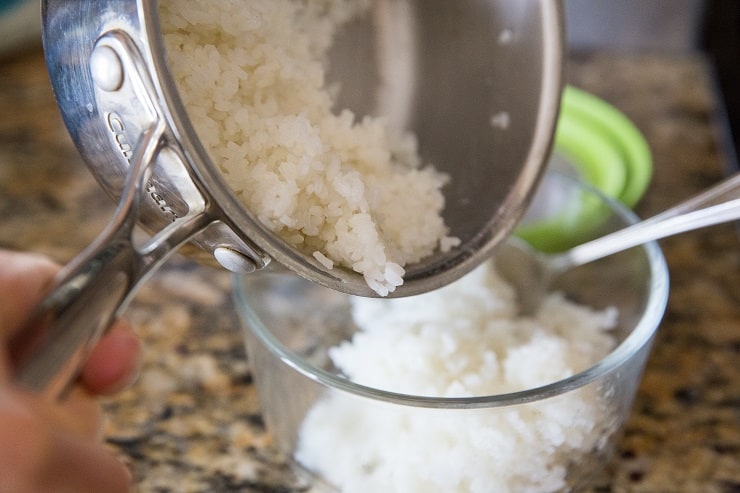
(115, 361)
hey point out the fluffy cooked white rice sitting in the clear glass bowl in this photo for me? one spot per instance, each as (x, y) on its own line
(463, 340)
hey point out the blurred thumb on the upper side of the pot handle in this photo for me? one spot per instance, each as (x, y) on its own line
(23, 279)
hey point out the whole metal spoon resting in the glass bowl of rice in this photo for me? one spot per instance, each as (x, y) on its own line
(533, 273)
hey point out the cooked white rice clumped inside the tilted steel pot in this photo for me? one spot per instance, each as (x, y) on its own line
(346, 190)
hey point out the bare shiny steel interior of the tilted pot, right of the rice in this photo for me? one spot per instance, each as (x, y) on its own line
(452, 73)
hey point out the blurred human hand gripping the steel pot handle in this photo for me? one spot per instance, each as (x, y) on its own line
(49, 446)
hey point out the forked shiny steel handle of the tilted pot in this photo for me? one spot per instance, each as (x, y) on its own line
(48, 352)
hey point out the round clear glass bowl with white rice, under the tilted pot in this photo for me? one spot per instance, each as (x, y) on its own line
(431, 405)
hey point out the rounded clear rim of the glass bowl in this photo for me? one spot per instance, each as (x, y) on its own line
(638, 339)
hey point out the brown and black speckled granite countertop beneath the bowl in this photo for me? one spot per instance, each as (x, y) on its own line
(192, 421)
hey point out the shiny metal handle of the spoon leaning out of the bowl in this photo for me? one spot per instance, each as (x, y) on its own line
(716, 205)
